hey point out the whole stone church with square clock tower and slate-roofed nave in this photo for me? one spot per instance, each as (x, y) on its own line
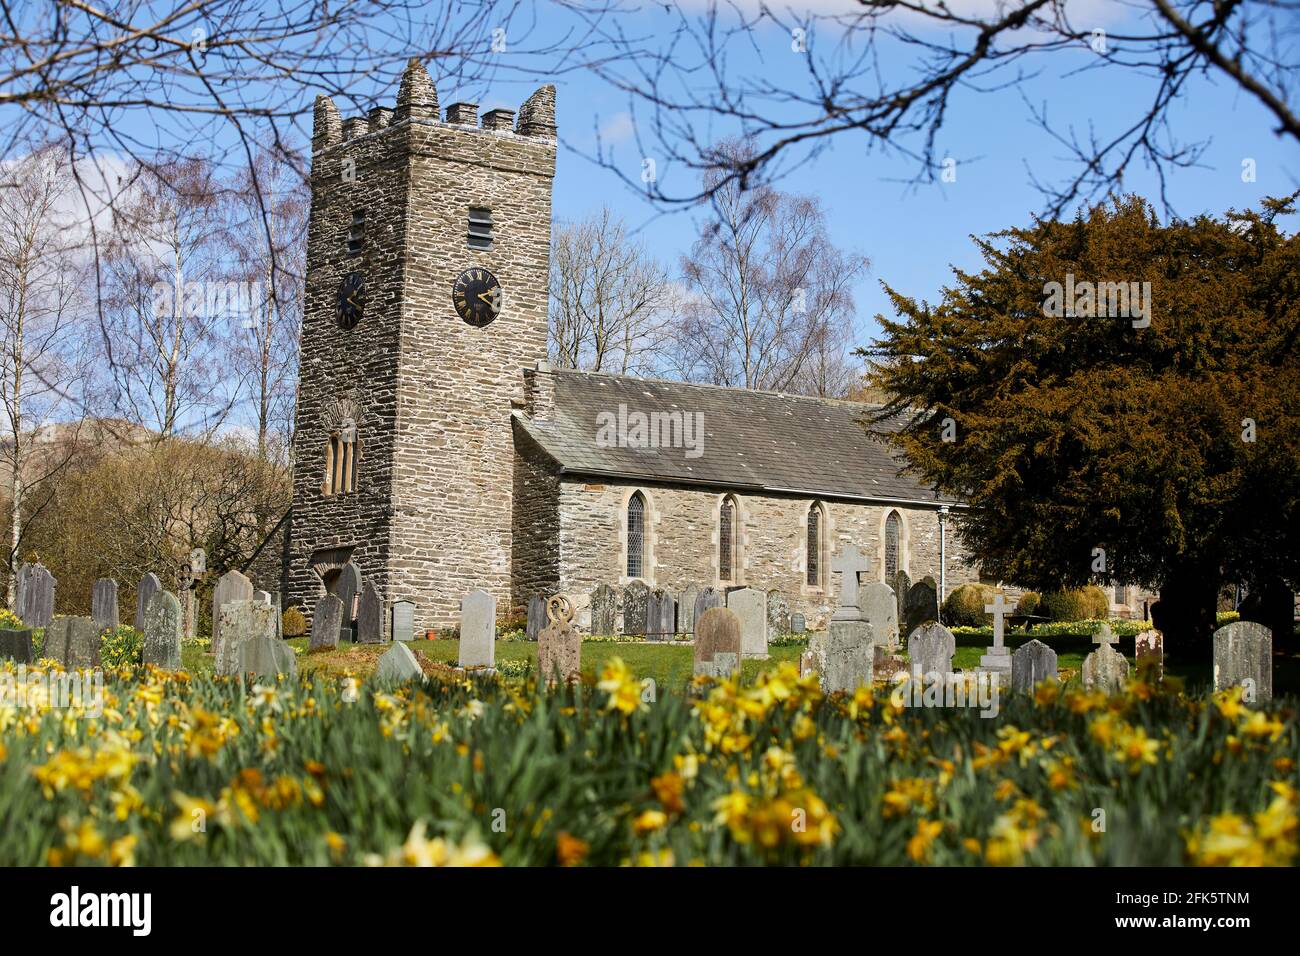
(439, 452)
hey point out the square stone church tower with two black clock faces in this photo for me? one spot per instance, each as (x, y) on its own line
(427, 272)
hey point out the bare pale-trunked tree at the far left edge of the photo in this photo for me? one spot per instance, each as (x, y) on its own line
(40, 332)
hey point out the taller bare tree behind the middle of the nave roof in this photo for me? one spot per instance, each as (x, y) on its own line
(772, 300)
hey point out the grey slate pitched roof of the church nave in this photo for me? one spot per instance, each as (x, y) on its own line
(759, 442)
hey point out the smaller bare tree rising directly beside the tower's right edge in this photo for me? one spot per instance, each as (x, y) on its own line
(609, 304)
